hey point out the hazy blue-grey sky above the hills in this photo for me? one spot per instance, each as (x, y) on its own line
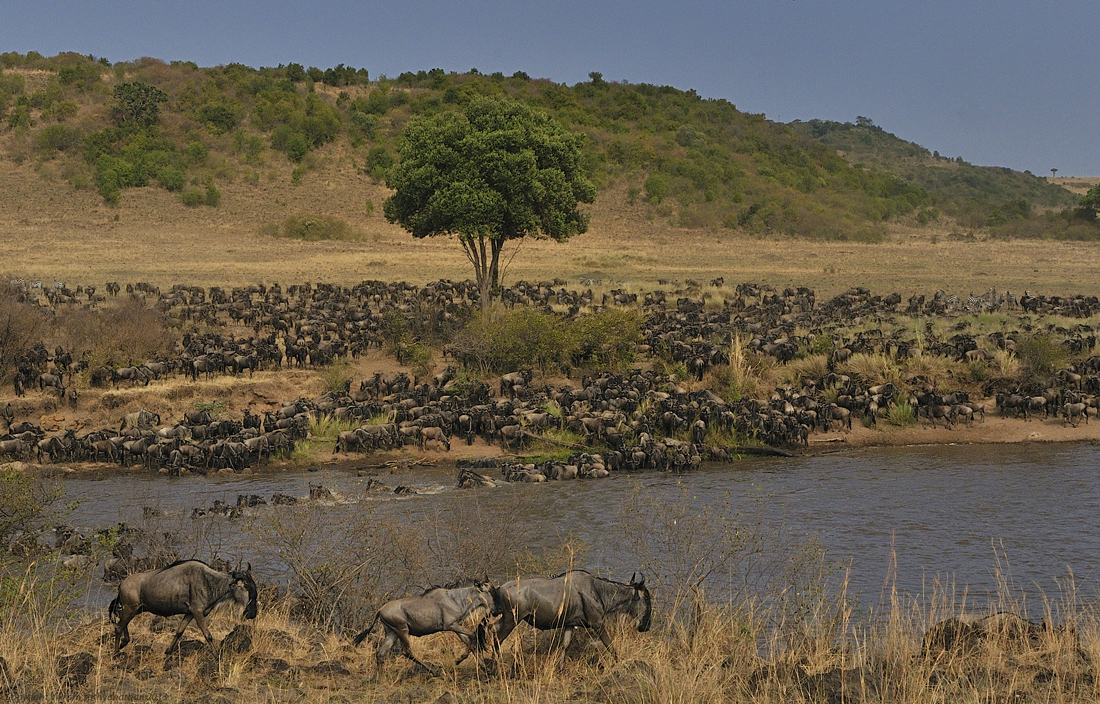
(1010, 83)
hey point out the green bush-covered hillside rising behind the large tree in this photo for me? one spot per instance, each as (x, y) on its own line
(689, 162)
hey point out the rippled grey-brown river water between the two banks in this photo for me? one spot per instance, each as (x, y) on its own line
(944, 513)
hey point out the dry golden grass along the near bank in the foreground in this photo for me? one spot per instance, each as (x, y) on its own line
(743, 653)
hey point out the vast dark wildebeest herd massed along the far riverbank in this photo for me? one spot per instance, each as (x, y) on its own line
(630, 421)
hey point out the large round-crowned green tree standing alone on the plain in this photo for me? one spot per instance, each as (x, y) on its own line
(498, 171)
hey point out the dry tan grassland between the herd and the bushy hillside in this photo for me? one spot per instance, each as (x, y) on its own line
(52, 233)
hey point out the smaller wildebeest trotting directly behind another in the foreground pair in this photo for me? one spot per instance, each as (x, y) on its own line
(460, 610)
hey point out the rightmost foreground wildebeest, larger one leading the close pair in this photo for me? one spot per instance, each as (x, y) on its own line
(569, 601)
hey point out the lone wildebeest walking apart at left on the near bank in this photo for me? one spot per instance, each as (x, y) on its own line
(191, 588)
